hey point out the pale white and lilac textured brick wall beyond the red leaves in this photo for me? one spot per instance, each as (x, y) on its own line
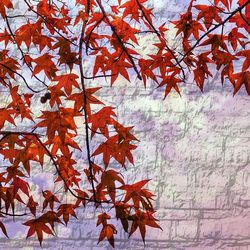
(196, 151)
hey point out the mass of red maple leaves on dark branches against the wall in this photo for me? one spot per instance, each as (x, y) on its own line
(42, 58)
